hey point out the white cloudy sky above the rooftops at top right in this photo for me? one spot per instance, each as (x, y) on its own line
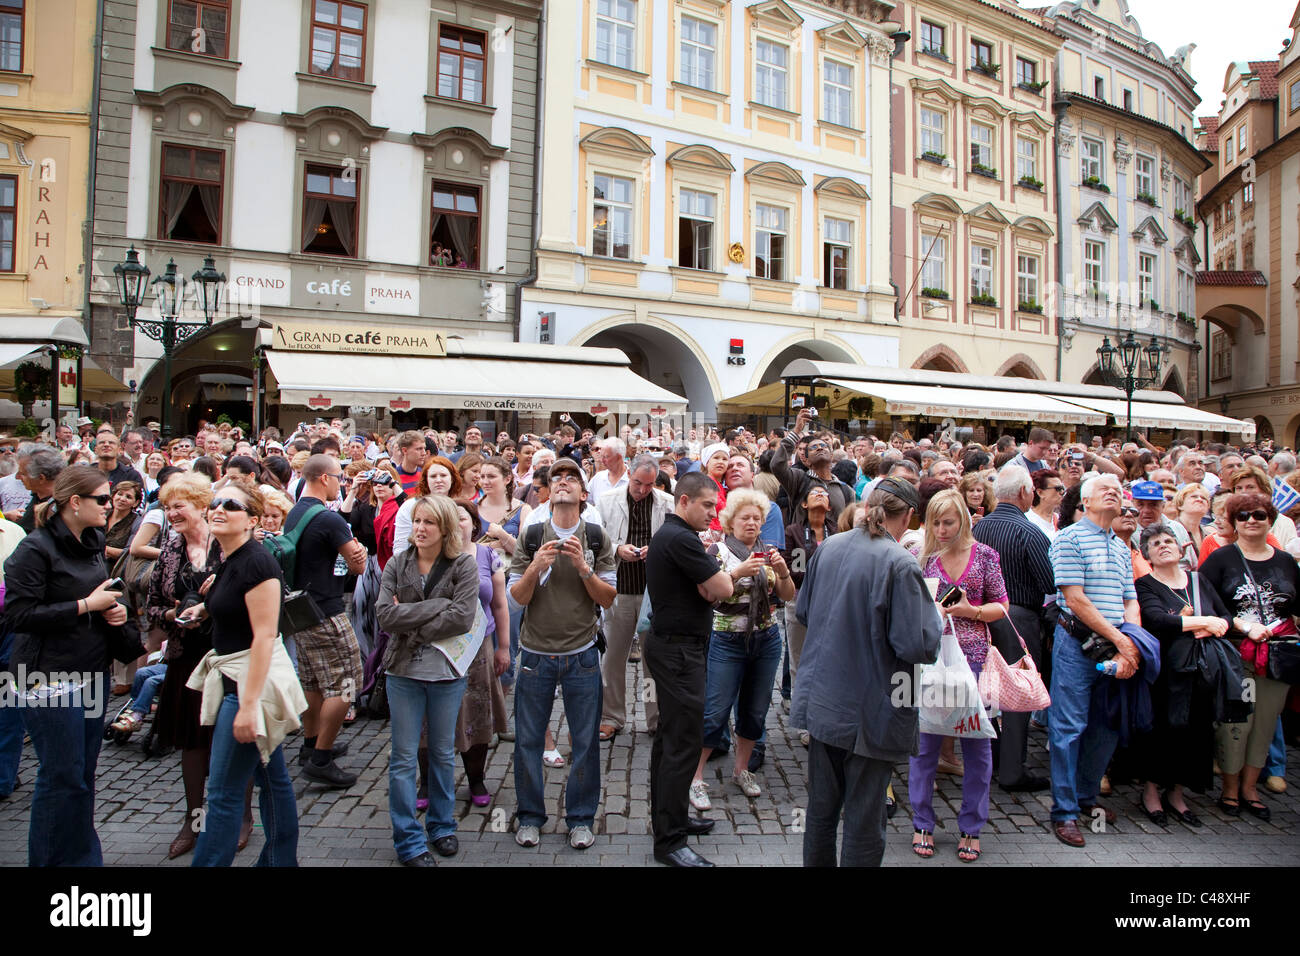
(1223, 33)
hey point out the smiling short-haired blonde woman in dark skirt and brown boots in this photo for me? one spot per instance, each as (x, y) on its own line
(187, 561)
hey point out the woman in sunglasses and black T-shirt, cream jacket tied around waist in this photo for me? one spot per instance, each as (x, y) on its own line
(244, 609)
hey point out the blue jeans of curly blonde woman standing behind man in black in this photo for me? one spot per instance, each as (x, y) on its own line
(742, 672)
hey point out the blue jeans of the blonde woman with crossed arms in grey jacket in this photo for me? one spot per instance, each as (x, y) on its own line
(411, 706)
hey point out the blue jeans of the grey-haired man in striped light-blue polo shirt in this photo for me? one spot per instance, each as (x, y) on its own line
(1081, 749)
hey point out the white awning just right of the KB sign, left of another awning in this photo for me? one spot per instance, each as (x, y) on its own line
(937, 401)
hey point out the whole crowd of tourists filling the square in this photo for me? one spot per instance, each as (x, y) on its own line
(241, 592)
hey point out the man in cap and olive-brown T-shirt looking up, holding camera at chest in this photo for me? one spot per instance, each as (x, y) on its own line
(562, 576)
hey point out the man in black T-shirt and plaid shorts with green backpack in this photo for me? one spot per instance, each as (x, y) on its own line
(330, 659)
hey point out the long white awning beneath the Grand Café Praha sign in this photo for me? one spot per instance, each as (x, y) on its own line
(320, 380)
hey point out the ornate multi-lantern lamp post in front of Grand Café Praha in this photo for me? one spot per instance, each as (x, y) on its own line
(170, 299)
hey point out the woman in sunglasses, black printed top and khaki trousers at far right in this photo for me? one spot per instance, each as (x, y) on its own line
(1260, 587)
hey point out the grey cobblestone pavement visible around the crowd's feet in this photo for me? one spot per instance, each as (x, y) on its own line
(141, 804)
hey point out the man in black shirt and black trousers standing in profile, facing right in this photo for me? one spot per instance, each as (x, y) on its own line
(683, 583)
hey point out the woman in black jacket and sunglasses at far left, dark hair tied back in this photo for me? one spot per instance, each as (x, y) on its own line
(68, 629)
